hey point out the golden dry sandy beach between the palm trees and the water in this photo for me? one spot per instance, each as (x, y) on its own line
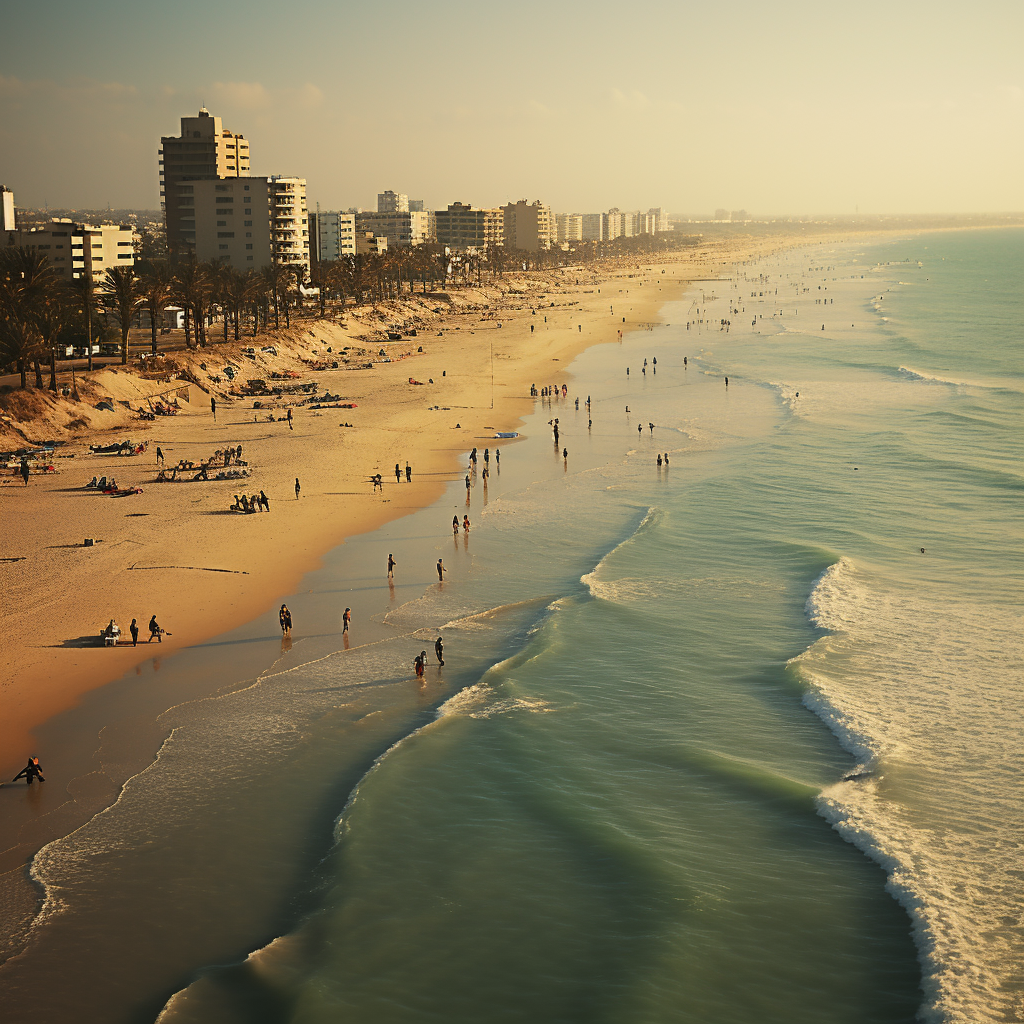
(178, 552)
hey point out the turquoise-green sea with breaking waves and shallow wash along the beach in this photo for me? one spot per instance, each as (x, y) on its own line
(714, 743)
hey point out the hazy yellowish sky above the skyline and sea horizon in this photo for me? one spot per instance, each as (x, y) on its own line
(775, 107)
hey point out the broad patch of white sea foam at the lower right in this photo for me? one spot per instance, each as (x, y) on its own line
(921, 693)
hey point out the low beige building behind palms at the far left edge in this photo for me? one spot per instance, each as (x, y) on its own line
(77, 250)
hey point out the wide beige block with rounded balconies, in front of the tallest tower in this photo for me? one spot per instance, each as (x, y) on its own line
(247, 224)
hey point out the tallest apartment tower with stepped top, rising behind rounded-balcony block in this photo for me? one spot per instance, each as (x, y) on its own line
(206, 151)
